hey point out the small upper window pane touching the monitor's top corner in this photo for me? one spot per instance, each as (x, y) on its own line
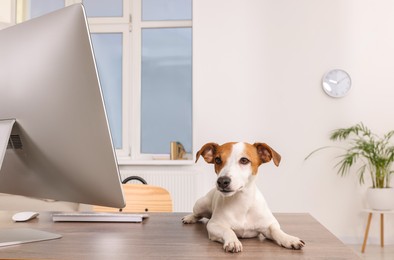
(103, 8)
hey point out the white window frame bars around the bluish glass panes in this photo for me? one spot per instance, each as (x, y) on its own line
(130, 25)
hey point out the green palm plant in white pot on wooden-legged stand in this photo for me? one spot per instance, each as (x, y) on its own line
(372, 155)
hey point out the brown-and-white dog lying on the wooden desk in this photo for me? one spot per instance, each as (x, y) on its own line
(235, 207)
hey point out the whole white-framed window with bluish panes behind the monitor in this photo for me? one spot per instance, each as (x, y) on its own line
(143, 50)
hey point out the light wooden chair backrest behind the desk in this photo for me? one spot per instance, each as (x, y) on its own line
(142, 198)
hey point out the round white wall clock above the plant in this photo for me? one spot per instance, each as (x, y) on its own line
(336, 83)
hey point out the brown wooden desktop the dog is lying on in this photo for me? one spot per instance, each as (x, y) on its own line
(163, 236)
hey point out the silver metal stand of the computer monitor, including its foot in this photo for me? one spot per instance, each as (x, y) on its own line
(14, 236)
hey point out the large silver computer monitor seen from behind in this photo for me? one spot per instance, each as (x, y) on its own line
(51, 101)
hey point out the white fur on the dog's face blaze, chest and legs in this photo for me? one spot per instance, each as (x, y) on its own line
(241, 213)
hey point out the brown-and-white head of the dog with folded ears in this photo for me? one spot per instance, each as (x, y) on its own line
(236, 163)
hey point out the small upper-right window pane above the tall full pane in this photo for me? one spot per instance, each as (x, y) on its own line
(160, 10)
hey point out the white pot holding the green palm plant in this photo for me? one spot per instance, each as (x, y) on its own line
(380, 199)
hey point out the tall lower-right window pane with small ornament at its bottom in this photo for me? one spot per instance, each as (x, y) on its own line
(166, 91)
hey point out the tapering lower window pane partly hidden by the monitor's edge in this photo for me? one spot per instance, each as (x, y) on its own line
(108, 52)
